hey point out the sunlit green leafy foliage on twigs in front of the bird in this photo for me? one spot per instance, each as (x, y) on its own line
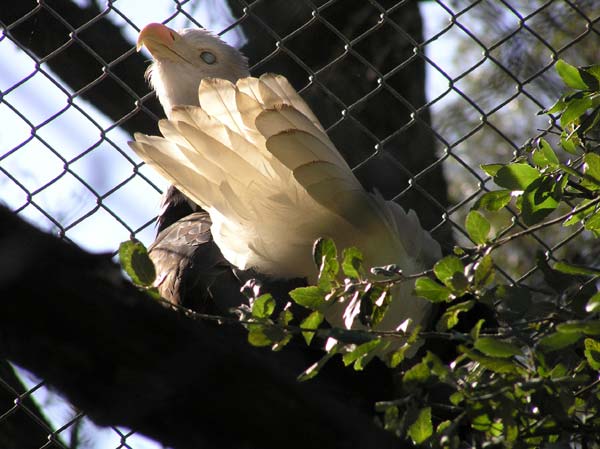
(526, 378)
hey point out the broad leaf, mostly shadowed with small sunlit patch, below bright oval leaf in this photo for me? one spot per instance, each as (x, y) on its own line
(540, 199)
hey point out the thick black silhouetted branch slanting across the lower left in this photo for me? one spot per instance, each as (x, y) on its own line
(69, 317)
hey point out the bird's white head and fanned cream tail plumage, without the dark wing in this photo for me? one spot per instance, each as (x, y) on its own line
(252, 153)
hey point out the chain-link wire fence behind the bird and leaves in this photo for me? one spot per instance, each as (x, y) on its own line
(408, 91)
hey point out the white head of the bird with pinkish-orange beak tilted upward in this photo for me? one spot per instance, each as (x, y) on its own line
(182, 59)
